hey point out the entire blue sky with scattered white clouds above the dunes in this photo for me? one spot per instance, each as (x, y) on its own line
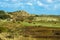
(32, 6)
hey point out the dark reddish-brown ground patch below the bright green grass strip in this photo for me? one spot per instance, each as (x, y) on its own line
(38, 32)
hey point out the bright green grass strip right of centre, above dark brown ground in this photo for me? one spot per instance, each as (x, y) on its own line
(48, 24)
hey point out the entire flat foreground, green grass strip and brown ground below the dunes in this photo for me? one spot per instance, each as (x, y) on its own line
(29, 31)
